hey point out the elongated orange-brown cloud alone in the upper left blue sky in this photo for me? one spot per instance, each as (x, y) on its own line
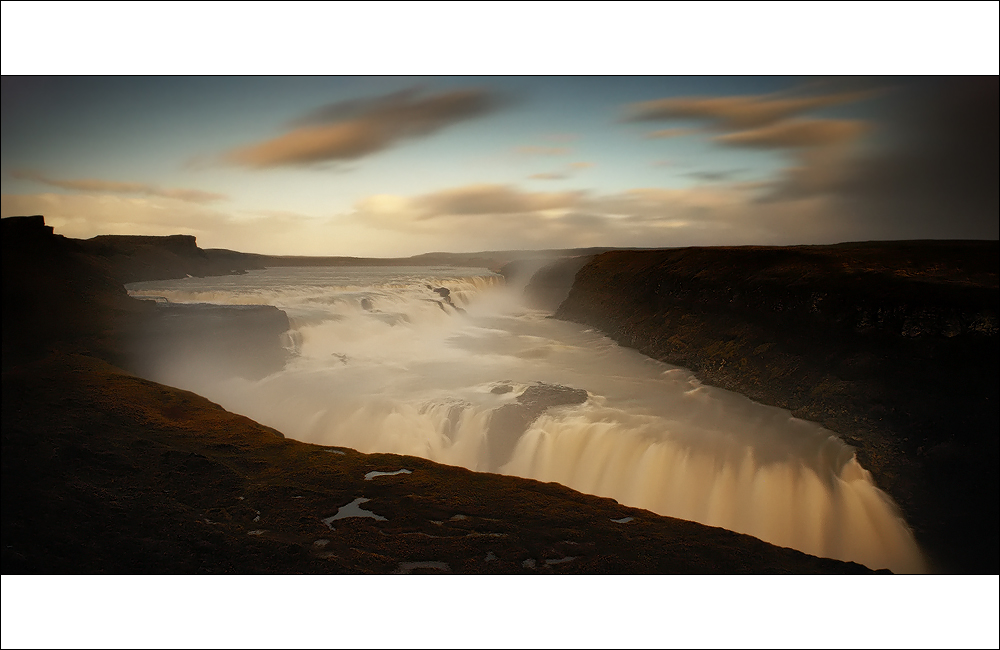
(357, 128)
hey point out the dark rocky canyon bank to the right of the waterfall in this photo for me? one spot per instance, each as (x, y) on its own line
(893, 345)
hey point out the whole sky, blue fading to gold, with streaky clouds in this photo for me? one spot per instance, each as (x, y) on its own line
(378, 165)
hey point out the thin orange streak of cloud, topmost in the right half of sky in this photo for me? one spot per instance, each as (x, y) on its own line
(738, 112)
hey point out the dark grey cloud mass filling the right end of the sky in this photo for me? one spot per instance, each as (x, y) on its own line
(935, 173)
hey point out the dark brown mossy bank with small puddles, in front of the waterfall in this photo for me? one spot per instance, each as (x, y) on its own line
(106, 472)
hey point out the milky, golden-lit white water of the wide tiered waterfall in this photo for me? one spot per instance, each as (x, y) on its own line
(383, 364)
